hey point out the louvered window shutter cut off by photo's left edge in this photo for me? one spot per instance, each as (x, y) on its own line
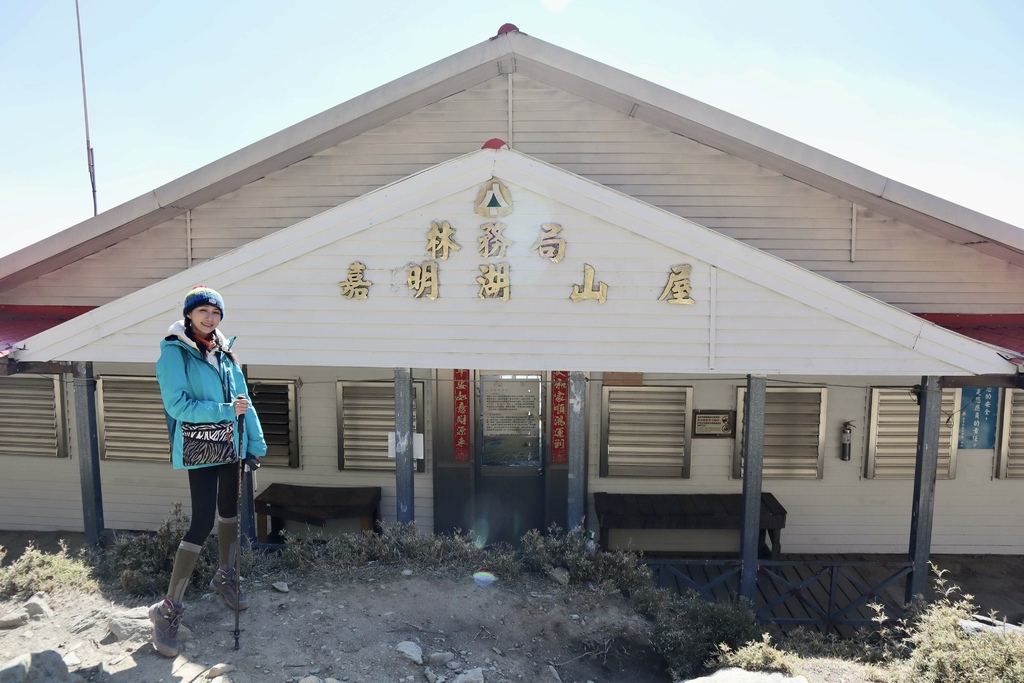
(33, 417)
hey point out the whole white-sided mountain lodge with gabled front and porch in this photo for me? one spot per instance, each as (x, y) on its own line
(580, 272)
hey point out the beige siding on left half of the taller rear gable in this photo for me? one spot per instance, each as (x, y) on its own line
(441, 132)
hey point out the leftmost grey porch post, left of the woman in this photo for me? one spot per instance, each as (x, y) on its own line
(87, 432)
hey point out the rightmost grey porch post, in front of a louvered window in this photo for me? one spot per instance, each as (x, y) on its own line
(924, 486)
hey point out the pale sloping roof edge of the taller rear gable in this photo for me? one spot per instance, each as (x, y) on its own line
(515, 52)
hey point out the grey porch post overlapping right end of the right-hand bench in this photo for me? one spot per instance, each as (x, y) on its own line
(754, 444)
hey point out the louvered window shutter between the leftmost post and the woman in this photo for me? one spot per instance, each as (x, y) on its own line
(133, 422)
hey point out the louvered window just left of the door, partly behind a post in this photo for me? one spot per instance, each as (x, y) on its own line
(366, 416)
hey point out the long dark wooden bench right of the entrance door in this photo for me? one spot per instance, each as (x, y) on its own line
(688, 511)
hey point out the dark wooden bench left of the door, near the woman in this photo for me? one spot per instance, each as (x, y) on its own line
(315, 505)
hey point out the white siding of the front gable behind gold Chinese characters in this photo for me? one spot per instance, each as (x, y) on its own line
(757, 329)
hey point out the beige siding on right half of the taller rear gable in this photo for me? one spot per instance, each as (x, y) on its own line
(895, 263)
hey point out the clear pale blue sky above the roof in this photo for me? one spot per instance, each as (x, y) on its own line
(930, 94)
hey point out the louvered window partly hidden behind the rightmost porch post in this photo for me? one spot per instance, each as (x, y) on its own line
(892, 445)
